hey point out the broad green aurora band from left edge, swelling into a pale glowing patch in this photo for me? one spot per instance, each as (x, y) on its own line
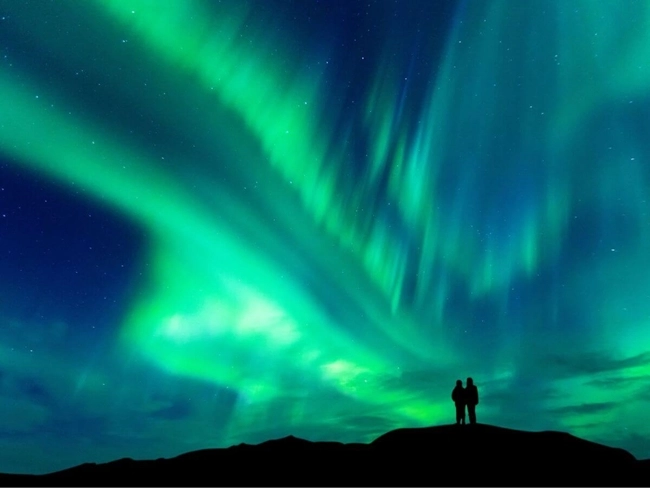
(237, 304)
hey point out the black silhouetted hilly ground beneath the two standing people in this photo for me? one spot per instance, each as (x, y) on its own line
(478, 455)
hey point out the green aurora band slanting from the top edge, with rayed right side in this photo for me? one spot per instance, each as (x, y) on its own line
(283, 114)
